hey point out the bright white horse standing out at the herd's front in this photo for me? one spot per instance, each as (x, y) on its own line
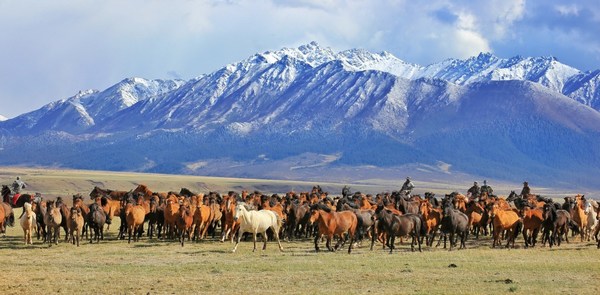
(256, 222)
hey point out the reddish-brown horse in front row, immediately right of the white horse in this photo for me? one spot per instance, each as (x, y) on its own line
(333, 223)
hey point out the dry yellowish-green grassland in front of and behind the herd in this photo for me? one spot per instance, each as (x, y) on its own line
(164, 267)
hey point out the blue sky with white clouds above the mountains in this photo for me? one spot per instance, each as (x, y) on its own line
(52, 49)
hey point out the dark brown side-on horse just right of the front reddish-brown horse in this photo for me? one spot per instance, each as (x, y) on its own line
(399, 225)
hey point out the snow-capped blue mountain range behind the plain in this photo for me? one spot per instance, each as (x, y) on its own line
(314, 114)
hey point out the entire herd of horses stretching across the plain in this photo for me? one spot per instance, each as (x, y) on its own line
(351, 218)
